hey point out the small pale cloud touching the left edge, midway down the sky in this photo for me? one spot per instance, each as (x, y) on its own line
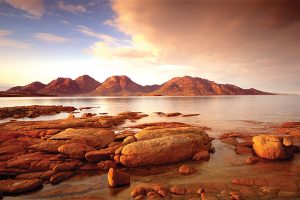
(10, 43)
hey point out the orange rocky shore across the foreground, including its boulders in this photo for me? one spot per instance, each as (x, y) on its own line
(36, 153)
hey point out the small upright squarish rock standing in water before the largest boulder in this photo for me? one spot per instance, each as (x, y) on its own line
(117, 178)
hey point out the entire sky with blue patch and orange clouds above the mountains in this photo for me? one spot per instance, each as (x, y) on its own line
(249, 43)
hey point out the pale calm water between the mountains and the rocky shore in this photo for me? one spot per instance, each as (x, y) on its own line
(217, 112)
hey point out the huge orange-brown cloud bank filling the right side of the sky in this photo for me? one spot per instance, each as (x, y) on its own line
(225, 41)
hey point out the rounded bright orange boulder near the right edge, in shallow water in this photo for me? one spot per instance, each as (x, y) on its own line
(272, 147)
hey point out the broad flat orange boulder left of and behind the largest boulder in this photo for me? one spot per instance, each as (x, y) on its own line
(94, 137)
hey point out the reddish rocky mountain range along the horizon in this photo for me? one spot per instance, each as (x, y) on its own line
(124, 86)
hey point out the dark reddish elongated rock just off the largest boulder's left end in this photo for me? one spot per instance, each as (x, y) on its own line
(102, 154)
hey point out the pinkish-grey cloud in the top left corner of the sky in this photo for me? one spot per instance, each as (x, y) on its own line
(34, 8)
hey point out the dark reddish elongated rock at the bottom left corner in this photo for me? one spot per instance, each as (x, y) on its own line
(19, 186)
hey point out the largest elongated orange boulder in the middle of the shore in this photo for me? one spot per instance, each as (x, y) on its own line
(163, 150)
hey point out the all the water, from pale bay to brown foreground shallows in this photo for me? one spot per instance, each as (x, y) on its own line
(251, 114)
